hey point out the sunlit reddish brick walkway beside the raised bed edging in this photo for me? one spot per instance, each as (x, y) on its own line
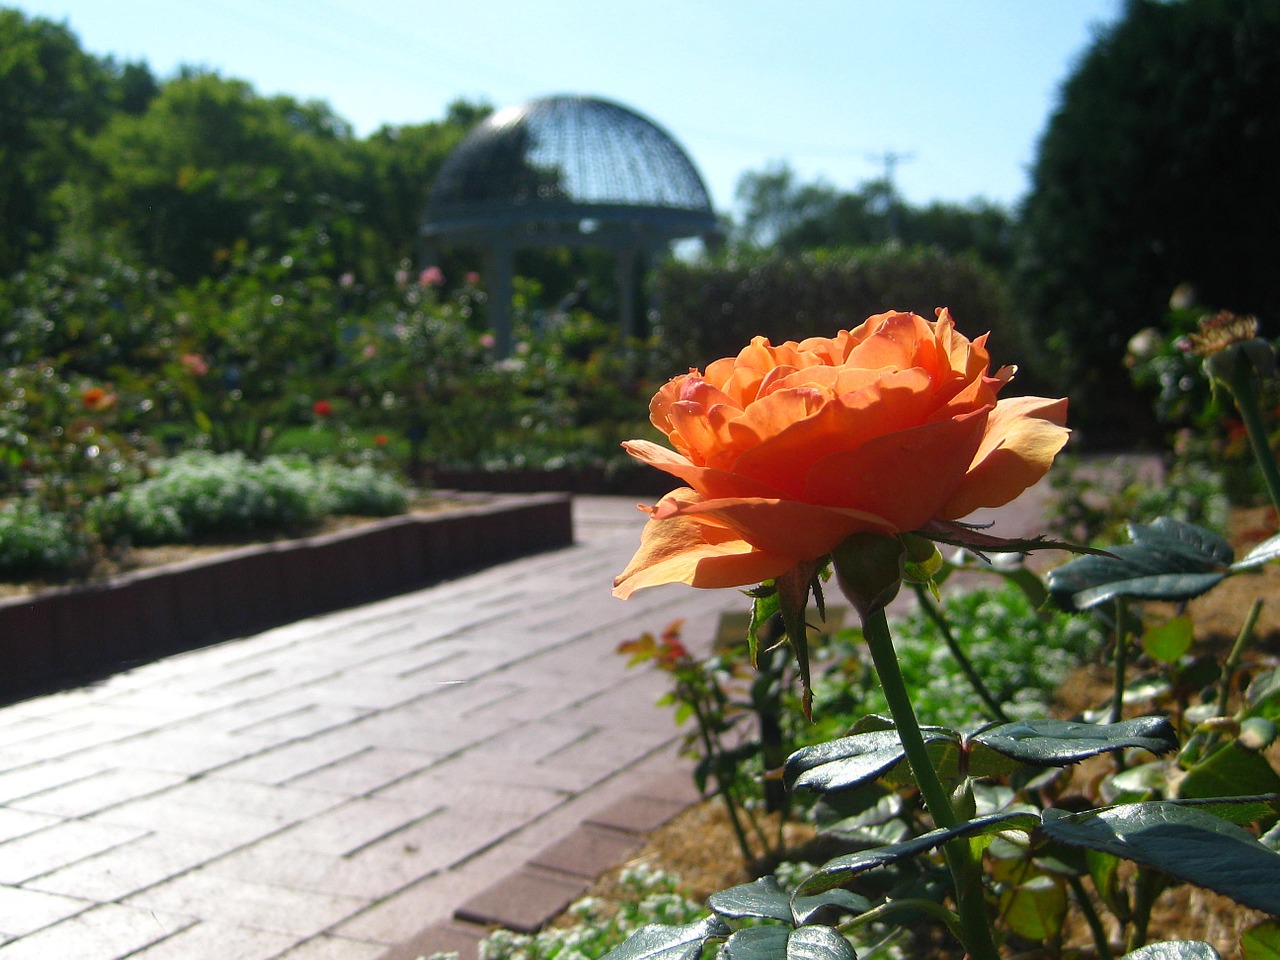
(332, 789)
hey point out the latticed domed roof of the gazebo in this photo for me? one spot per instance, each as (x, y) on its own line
(564, 161)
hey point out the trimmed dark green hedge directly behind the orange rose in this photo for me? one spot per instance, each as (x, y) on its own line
(711, 309)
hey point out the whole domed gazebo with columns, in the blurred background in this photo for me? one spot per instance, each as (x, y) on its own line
(565, 172)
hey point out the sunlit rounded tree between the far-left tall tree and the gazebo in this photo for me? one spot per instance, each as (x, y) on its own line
(211, 168)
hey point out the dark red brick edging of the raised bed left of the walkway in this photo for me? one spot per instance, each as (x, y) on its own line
(72, 634)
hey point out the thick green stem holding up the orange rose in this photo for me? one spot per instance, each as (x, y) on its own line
(961, 861)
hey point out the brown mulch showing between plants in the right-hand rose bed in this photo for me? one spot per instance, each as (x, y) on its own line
(700, 847)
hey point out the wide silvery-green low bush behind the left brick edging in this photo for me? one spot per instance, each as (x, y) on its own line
(202, 495)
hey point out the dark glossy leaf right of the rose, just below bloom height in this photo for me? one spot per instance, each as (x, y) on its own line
(1167, 561)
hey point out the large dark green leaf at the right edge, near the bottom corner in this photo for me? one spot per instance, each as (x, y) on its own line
(1190, 844)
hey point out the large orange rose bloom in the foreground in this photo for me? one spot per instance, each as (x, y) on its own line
(787, 451)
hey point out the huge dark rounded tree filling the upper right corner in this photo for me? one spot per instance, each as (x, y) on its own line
(1156, 170)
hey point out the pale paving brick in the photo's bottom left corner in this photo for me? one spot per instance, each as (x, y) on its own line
(107, 932)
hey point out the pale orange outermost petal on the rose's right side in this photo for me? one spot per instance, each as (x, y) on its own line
(1023, 437)
